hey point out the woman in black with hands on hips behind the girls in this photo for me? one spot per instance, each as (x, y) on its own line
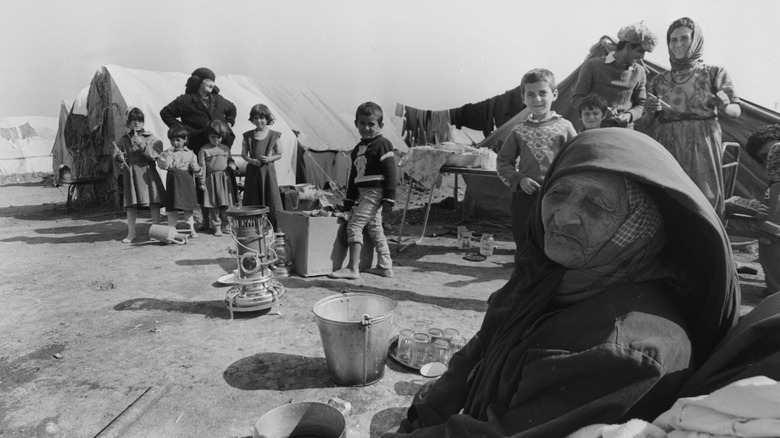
(195, 109)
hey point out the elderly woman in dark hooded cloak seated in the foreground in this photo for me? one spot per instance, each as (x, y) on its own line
(627, 285)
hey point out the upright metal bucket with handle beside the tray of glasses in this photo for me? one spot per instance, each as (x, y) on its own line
(355, 329)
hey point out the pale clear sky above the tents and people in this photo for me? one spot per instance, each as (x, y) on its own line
(427, 54)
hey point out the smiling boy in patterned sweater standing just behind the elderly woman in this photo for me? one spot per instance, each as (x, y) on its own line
(531, 146)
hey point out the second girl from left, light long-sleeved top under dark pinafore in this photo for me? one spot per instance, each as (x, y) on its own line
(182, 166)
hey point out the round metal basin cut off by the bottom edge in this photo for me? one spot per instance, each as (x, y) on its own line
(305, 419)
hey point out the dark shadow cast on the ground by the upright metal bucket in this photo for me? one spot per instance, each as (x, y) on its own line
(273, 370)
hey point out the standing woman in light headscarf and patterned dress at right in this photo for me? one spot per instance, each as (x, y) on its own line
(686, 102)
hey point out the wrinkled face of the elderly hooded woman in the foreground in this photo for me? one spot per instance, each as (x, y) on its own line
(580, 213)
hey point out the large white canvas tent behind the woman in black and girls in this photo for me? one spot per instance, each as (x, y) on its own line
(317, 126)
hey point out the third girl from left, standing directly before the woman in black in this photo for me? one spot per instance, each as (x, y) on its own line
(214, 158)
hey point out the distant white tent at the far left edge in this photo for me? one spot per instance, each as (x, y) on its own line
(26, 143)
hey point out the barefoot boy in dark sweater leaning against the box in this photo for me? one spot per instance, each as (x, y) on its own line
(371, 187)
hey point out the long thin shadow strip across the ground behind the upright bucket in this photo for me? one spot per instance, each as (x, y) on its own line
(397, 294)
